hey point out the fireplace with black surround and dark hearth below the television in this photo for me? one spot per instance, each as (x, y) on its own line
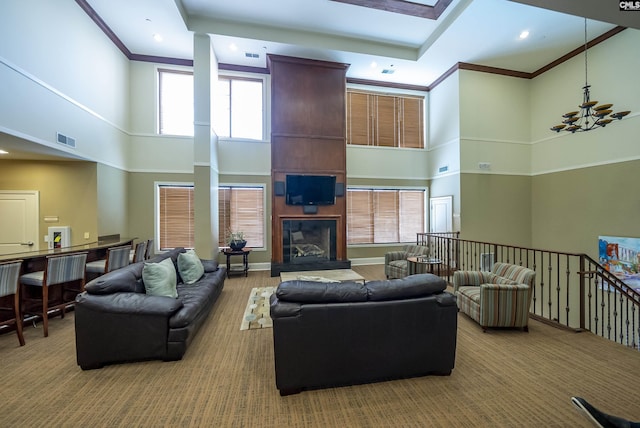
(308, 244)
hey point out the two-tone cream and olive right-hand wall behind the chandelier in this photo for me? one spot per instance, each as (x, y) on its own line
(585, 184)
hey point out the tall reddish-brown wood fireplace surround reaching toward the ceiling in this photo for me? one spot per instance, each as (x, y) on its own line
(308, 136)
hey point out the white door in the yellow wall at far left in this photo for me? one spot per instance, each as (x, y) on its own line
(19, 228)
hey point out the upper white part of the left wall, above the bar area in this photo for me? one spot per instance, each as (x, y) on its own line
(60, 73)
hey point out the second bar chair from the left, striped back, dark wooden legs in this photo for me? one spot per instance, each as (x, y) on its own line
(44, 291)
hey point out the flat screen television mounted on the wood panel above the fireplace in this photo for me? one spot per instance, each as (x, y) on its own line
(310, 189)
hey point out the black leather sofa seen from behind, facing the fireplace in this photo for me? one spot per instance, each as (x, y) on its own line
(334, 334)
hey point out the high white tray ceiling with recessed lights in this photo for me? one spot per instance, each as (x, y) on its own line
(416, 49)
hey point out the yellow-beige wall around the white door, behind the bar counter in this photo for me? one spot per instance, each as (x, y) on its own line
(67, 190)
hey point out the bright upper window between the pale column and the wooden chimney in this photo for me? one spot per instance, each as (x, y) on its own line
(238, 108)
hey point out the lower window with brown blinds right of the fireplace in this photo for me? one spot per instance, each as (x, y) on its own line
(383, 216)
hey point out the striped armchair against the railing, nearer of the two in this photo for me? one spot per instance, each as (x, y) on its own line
(500, 298)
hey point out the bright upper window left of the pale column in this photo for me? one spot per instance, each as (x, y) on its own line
(175, 102)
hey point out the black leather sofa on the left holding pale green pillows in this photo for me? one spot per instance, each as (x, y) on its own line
(117, 322)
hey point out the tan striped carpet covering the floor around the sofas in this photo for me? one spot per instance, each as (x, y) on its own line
(502, 378)
